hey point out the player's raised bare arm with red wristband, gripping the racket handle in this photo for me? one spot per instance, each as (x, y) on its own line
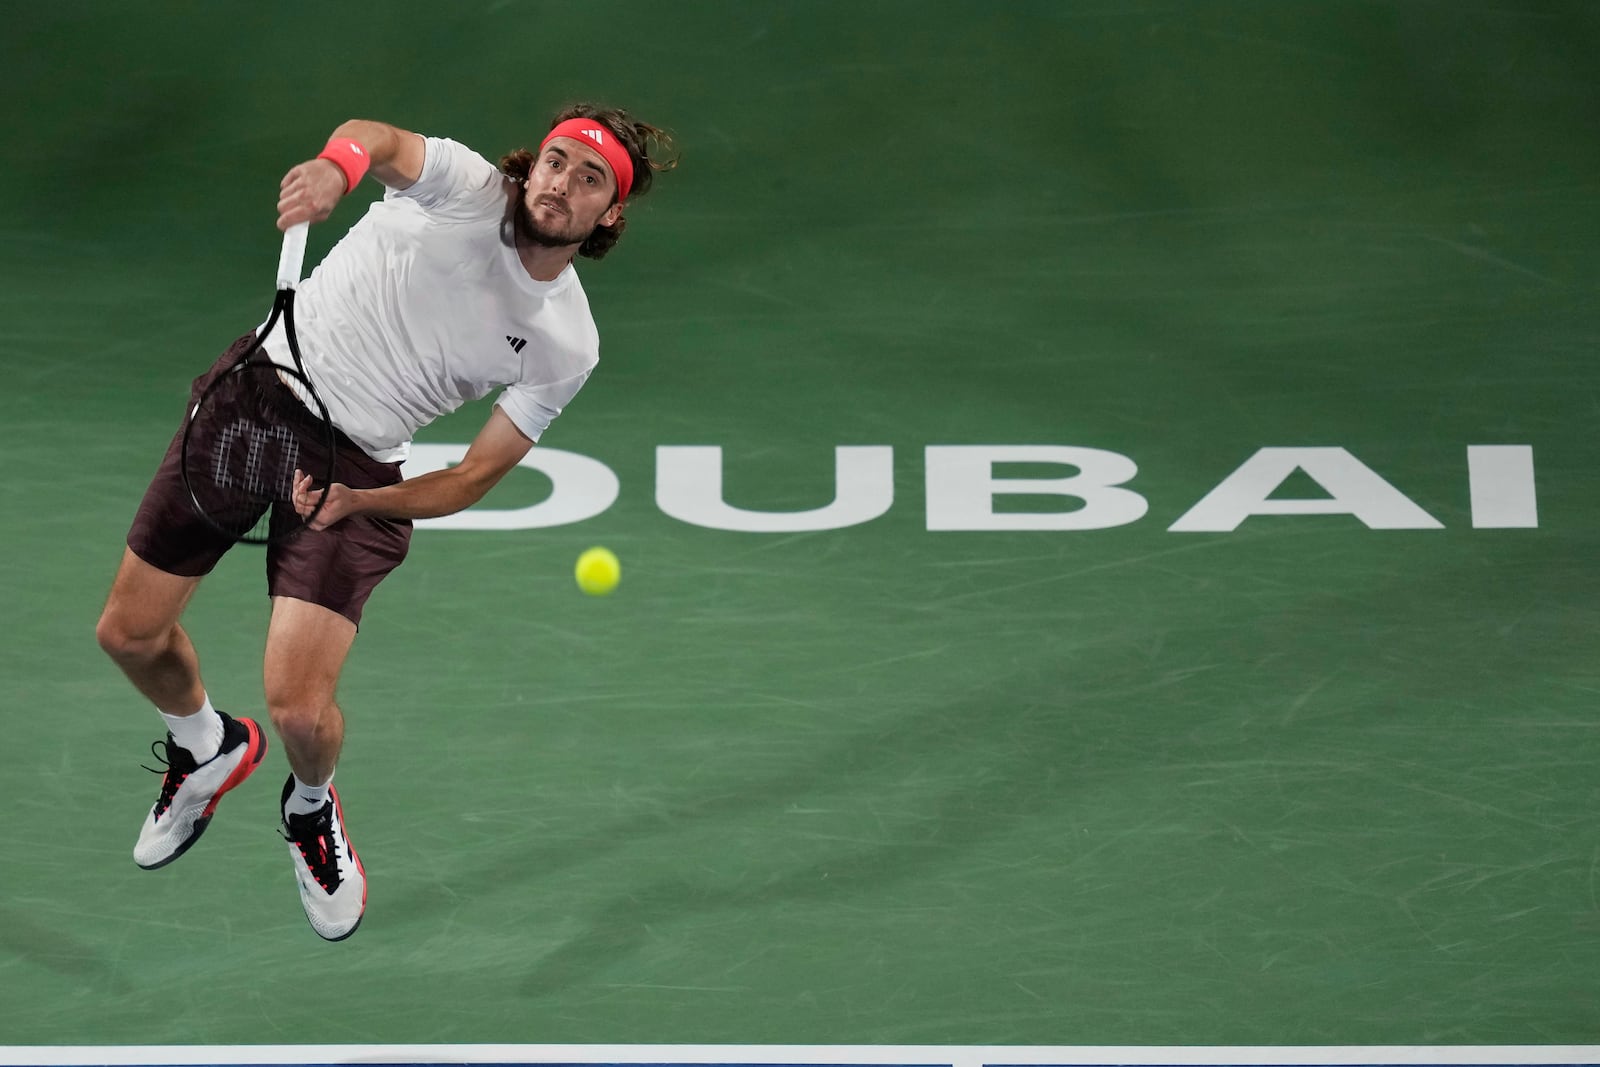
(311, 191)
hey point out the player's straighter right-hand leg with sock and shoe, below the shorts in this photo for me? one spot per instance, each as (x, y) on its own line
(306, 652)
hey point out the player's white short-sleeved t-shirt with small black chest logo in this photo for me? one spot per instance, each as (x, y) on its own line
(425, 306)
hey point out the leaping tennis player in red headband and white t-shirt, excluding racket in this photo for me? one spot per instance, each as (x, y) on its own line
(458, 282)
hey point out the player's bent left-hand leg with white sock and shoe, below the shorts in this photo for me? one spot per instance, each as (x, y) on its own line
(207, 753)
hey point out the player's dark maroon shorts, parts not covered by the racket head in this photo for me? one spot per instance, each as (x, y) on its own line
(337, 569)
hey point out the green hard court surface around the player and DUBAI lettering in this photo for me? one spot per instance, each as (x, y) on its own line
(1327, 777)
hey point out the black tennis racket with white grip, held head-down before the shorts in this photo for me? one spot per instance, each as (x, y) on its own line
(255, 425)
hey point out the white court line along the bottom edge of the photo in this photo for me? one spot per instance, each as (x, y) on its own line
(820, 1055)
